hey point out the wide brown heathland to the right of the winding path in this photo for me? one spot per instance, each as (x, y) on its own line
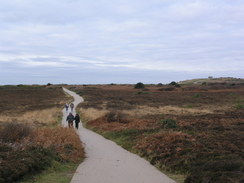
(193, 129)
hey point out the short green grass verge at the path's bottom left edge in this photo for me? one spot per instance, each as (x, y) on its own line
(57, 173)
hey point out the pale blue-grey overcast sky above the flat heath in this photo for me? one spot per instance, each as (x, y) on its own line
(120, 41)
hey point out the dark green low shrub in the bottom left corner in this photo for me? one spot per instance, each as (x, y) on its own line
(17, 163)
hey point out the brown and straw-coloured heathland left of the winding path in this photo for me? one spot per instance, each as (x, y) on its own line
(31, 139)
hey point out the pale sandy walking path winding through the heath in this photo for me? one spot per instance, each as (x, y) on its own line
(106, 162)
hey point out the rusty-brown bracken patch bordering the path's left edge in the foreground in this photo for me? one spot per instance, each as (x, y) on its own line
(64, 142)
